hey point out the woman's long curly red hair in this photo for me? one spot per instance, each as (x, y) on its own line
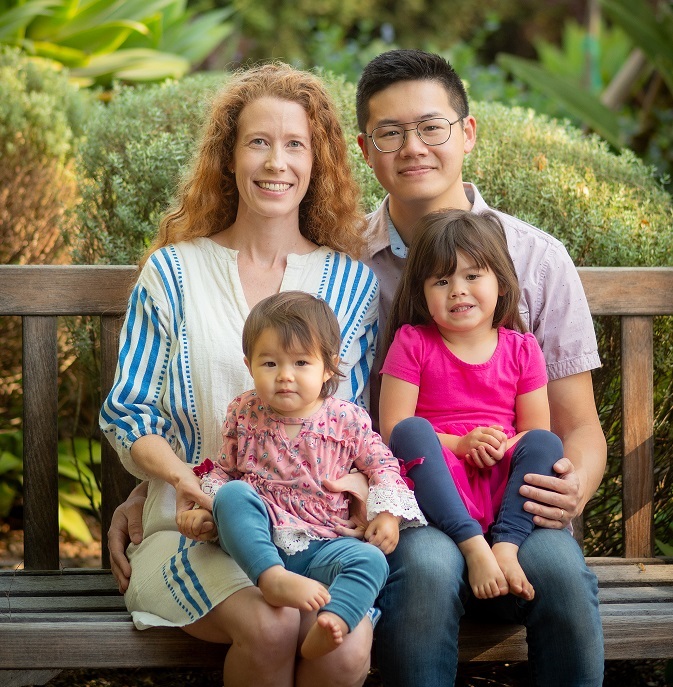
(207, 200)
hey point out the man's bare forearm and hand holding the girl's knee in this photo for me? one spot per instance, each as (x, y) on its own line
(575, 420)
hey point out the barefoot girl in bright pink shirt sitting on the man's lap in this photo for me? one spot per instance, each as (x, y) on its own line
(465, 387)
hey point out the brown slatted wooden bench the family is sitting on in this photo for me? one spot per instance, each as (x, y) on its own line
(54, 618)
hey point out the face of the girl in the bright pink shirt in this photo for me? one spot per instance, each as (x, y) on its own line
(465, 301)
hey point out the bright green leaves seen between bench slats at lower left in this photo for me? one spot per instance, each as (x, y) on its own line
(78, 488)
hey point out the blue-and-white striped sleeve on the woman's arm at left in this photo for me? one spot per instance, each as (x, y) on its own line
(135, 406)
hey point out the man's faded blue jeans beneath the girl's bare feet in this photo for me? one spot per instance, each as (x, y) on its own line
(427, 592)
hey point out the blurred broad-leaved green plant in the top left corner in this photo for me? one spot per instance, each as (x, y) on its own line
(132, 40)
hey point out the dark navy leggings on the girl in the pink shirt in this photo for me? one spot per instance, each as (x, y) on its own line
(436, 492)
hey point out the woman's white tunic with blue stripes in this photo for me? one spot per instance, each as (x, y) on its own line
(180, 363)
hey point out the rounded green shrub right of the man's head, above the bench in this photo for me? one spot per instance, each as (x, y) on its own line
(607, 208)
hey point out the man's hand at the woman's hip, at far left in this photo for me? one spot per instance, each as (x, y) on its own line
(126, 526)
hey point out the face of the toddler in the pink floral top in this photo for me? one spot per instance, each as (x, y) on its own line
(290, 381)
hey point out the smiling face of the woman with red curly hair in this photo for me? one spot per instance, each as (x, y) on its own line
(272, 159)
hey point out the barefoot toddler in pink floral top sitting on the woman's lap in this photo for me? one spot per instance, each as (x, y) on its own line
(284, 444)
